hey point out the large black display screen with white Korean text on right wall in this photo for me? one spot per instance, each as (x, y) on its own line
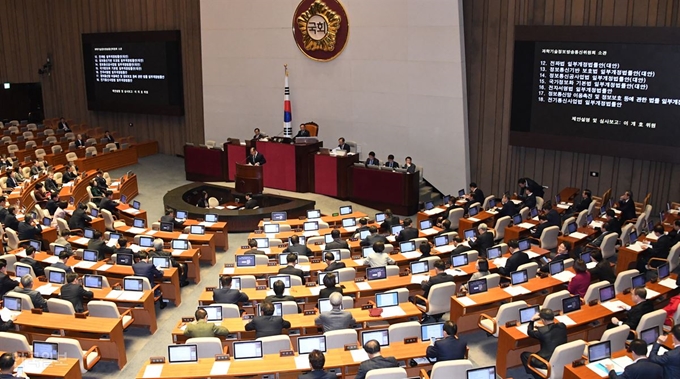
(608, 91)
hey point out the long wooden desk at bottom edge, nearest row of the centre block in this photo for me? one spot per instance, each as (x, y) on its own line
(282, 367)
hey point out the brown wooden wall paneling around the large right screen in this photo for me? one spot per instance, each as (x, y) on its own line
(489, 41)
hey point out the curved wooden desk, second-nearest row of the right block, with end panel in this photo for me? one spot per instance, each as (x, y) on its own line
(512, 342)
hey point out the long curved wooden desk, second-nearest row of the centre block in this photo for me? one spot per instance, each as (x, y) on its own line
(305, 323)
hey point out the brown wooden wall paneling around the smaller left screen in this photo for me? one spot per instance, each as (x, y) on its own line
(33, 29)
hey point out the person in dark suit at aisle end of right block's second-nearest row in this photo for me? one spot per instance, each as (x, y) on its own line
(550, 335)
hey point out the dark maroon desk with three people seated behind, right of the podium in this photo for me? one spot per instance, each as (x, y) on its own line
(382, 189)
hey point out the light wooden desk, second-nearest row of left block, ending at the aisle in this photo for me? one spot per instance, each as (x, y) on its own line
(87, 331)
